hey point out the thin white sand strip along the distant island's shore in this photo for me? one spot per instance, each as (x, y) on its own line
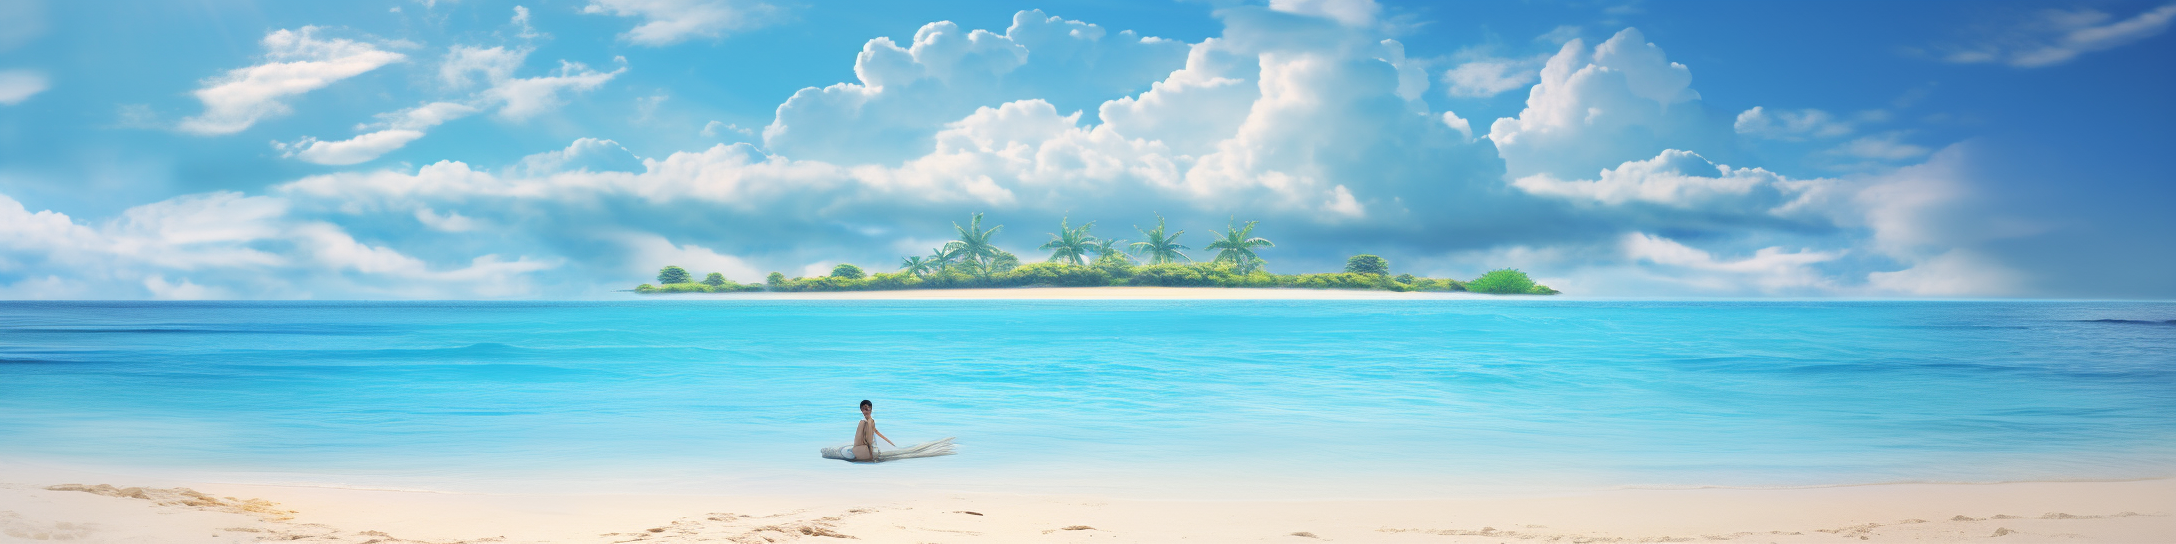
(1102, 295)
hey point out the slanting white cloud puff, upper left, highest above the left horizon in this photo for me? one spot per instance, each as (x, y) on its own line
(297, 64)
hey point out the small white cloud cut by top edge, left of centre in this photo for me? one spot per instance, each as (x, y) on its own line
(667, 23)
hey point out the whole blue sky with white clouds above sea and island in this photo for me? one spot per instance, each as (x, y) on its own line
(569, 149)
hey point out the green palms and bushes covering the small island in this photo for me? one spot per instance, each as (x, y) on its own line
(972, 262)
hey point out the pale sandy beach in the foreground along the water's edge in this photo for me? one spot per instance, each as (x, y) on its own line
(1918, 512)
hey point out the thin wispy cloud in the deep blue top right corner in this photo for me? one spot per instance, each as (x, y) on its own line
(2062, 36)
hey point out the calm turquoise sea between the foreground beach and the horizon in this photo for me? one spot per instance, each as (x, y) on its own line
(1191, 399)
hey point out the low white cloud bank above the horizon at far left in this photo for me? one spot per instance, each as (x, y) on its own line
(227, 245)
